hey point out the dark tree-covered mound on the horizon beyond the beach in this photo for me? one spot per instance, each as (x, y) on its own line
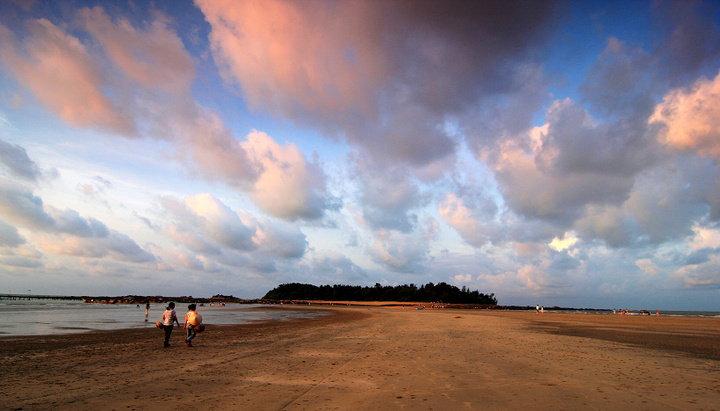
(441, 292)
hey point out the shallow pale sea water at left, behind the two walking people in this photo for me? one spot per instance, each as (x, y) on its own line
(43, 317)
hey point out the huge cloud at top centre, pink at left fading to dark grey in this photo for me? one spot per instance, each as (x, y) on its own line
(375, 72)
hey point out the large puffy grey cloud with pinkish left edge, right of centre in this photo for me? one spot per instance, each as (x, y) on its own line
(554, 172)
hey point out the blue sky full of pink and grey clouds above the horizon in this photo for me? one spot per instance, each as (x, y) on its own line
(552, 153)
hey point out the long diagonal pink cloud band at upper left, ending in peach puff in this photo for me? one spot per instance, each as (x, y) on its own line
(141, 86)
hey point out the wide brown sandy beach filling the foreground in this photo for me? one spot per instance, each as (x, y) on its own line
(364, 358)
